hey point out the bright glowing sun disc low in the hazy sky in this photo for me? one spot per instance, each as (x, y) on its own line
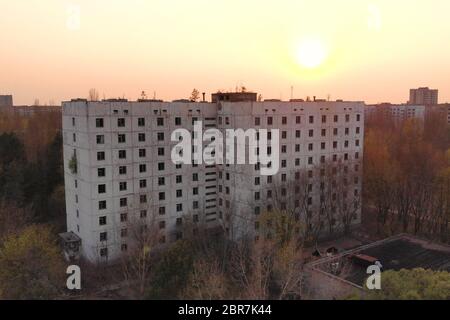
(311, 53)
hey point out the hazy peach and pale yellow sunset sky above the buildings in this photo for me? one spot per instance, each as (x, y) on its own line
(371, 50)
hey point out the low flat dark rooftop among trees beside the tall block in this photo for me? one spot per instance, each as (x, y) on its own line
(395, 253)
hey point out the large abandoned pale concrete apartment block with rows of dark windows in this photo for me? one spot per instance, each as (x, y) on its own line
(119, 170)
